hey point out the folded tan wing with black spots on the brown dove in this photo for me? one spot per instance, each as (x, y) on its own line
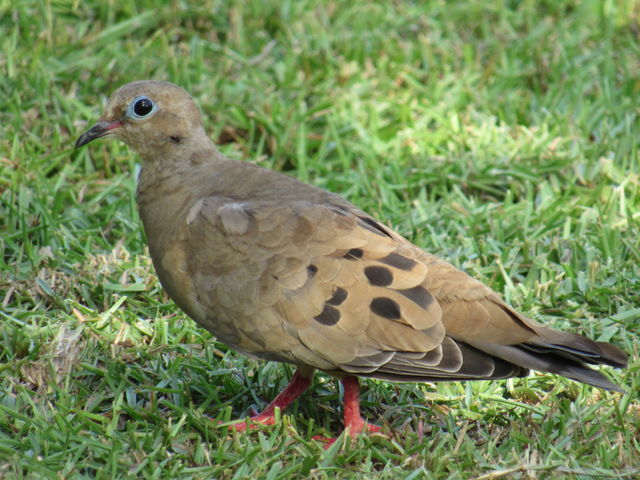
(326, 285)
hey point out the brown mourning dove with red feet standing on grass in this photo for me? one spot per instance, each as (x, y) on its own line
(281, 270)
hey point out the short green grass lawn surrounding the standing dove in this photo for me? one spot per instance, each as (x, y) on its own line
(500, 135)
